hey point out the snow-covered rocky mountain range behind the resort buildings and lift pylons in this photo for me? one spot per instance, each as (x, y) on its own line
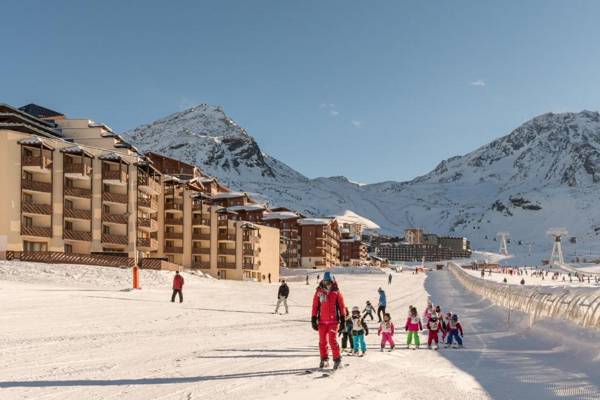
(546, 173)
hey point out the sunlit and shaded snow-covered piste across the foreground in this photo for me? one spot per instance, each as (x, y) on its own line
(73, 332)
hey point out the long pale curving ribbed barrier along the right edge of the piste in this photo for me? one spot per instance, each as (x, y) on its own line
(578, 305)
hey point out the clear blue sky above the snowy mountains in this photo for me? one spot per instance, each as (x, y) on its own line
(373, 90)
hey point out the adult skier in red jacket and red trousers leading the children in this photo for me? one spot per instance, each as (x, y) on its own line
(328, 311)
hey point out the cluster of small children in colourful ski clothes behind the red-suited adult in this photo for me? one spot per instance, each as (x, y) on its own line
(354, 329)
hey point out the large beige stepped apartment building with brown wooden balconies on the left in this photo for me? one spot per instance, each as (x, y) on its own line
(74, 186)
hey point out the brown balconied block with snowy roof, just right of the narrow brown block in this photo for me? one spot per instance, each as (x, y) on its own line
(319, 241)
